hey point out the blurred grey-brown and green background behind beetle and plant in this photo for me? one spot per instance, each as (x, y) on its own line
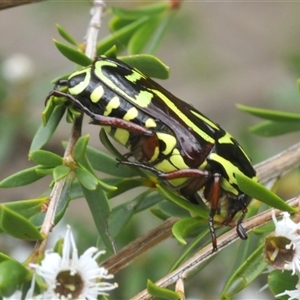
(219, 53)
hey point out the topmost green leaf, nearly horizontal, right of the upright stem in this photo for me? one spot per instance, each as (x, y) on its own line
(145, 10)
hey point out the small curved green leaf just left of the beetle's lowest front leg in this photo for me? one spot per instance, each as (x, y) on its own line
(188, 227)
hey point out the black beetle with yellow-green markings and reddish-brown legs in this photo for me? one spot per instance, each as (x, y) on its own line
(163, 134)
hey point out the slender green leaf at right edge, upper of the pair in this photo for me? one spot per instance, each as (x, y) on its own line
(273, 115)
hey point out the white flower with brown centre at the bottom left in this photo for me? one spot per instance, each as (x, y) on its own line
(73, 277)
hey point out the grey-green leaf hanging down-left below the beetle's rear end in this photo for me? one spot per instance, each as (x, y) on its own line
(44, 133)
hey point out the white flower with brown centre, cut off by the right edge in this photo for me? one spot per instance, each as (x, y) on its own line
(282, 249)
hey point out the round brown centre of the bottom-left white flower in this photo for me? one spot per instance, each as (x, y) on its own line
(68, 285)
